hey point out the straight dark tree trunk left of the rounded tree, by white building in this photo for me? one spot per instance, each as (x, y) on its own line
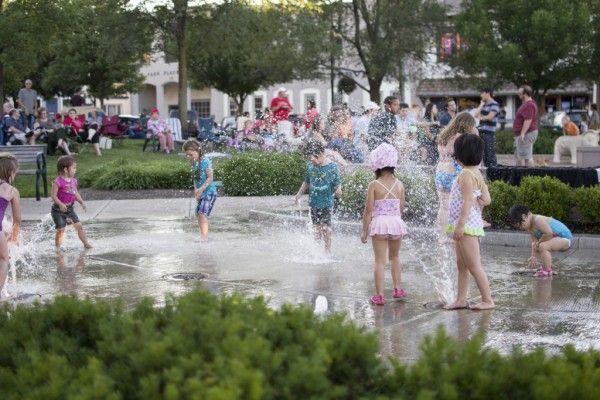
(181, 35)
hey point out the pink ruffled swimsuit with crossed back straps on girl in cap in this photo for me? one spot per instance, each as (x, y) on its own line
(387, 217)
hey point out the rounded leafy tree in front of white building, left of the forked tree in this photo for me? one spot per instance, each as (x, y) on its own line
(245, 47)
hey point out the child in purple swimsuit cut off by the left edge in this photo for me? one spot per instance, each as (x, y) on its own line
(8, 195)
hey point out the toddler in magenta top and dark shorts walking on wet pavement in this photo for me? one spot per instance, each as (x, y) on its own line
(64, 195)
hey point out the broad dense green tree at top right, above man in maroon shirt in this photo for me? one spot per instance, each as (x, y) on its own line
(542, 43)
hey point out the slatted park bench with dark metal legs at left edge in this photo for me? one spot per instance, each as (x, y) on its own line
(32, 161)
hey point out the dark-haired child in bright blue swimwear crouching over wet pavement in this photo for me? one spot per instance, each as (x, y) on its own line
(547, 235)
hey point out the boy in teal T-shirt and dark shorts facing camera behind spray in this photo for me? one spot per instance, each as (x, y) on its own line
(322, 179)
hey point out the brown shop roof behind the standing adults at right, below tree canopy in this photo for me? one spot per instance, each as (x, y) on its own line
(461, 87)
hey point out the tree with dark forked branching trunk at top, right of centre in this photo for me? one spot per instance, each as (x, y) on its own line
(385, 34)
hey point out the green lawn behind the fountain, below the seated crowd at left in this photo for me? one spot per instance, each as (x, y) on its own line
(130, 149)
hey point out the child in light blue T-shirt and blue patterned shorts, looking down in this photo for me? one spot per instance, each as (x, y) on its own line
(205, 190)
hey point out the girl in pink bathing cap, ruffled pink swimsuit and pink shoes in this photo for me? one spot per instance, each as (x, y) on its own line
(382, 218)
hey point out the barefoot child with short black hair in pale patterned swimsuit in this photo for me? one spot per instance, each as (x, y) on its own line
(468, 195)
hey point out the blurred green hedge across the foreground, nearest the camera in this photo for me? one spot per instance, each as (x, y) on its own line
(203, 347)
